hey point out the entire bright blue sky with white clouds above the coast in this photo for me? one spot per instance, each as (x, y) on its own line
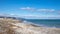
(31, 9)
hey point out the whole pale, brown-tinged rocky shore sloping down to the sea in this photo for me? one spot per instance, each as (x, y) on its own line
(13, 26)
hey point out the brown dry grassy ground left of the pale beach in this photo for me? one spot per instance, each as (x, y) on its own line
(5, 26)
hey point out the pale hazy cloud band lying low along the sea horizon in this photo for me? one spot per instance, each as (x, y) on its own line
(41, 16)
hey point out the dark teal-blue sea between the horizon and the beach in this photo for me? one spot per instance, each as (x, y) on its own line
(46, 22)
